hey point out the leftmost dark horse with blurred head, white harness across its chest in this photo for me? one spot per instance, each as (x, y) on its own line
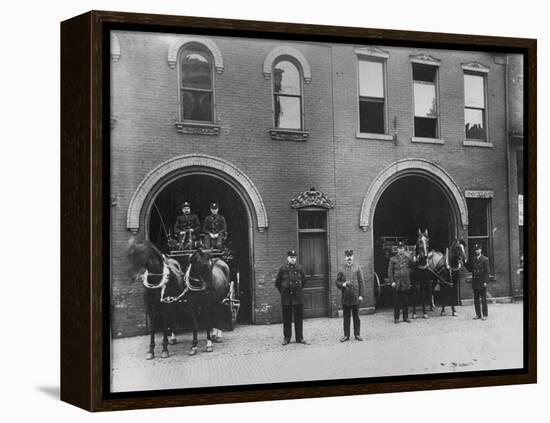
(164, 289)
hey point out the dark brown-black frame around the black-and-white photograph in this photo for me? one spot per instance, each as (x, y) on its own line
(85, 208)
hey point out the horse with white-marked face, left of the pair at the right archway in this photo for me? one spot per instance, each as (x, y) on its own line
(422, 277)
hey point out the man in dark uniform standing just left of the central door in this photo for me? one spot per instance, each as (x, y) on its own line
(290, 282)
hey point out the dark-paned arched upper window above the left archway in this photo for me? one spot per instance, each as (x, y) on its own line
(196, 84)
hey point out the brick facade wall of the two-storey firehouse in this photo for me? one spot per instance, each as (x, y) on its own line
(145, 103)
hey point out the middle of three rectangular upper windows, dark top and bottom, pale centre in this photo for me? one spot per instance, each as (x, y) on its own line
(426, 108)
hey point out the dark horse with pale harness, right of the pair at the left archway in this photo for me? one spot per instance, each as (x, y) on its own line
(208, 284)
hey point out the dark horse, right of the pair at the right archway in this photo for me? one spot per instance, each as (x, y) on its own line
(446, 269)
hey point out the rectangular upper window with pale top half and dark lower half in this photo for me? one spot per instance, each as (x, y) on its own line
(372, 103)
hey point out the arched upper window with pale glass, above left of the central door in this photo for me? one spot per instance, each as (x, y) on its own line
(287, 92)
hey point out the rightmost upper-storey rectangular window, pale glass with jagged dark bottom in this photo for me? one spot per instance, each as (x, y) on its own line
(475, 107)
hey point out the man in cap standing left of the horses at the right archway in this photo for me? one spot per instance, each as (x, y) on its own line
(399, 271)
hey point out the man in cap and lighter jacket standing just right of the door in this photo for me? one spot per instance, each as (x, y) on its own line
(350, 281)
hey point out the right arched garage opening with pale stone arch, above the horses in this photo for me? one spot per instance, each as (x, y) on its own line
(406, 195)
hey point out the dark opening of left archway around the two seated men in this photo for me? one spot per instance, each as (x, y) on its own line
(199, 189)
